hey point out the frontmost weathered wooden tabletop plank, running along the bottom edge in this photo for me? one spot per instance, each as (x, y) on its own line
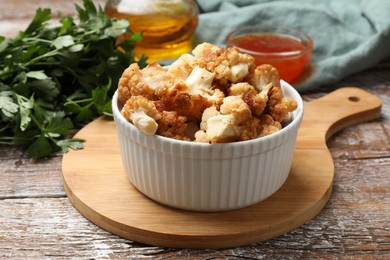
(47, 227)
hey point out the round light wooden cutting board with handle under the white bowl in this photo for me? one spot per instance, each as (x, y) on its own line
(96, 184)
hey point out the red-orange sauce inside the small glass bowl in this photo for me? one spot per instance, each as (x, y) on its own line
(289, 66)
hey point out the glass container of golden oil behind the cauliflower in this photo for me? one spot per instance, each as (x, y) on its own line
(167, 25)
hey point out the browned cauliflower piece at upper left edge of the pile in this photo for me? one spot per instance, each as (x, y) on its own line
(135, 81)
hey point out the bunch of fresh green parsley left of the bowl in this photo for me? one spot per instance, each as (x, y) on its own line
(56, 76)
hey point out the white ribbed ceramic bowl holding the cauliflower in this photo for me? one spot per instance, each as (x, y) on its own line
(208, 177)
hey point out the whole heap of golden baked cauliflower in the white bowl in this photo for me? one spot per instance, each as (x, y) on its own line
(213, 95)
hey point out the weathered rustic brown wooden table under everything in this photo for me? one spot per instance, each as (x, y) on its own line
(38, 221)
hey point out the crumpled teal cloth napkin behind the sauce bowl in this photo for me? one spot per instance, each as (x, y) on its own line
(348, 35)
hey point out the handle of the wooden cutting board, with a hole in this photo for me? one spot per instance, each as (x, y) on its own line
(341, 108)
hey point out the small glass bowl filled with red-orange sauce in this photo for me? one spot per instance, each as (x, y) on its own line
(288, 50)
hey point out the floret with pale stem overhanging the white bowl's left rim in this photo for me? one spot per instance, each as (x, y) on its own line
(142, 113)
